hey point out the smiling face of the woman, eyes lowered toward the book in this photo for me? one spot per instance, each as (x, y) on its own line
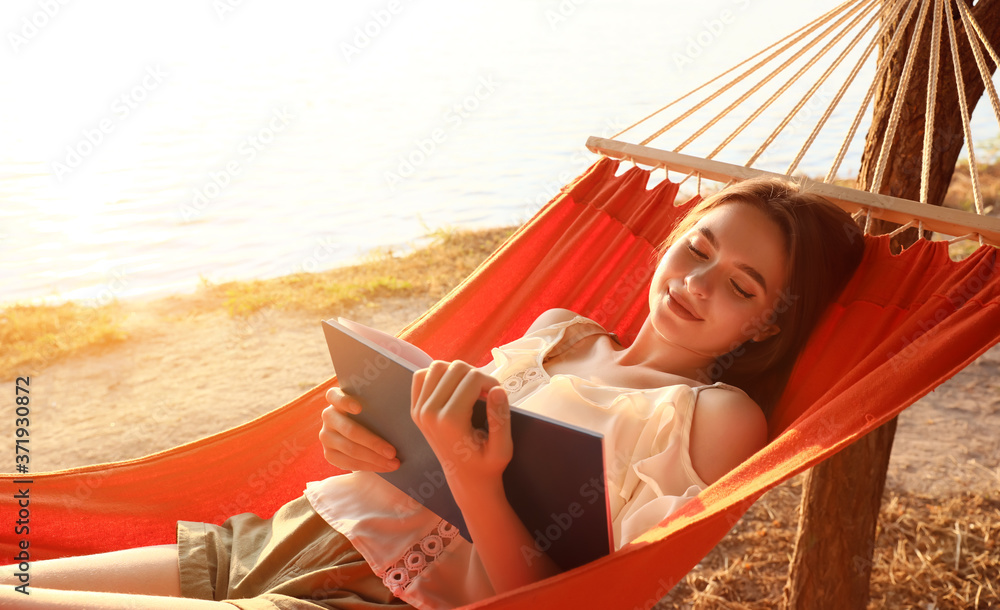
(722, 282)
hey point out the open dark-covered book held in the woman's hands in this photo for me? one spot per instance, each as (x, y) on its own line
(554, 482)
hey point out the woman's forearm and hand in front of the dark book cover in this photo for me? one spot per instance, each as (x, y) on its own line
(473, 461)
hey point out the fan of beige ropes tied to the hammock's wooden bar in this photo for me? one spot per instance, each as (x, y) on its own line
(837, 35)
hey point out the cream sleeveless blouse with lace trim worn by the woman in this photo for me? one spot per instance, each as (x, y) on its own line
(421, 558)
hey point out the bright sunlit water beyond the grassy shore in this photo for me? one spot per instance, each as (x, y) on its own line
(144, 147)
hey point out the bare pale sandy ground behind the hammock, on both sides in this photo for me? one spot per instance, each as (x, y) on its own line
(185, 374)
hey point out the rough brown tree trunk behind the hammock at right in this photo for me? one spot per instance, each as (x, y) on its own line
(831, 566)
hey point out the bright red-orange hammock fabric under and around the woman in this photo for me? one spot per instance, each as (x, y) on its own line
(903, 325)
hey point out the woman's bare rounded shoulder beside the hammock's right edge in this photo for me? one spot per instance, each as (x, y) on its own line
(728, 428)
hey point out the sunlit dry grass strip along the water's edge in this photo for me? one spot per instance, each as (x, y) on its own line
(32, 336)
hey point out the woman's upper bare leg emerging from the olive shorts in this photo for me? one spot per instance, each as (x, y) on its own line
(150, 570)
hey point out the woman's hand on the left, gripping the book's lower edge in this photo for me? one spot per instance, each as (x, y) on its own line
(347, 444)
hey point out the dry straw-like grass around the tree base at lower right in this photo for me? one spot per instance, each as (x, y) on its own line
(929, 553)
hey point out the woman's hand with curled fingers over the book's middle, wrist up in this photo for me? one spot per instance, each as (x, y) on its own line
(441, 405)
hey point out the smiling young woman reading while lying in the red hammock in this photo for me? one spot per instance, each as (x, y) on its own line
(741, 283)
